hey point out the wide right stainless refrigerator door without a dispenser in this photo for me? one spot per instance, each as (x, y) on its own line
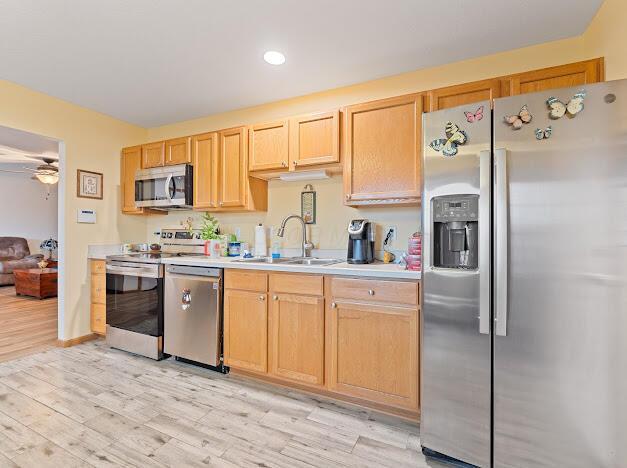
(560, 344)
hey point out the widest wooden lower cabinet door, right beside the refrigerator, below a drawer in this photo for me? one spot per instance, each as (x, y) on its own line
(374, 353)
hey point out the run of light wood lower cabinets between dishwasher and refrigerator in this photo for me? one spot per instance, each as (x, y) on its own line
(348, 338)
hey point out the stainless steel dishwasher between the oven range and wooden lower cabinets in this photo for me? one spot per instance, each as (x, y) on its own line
(192, 328)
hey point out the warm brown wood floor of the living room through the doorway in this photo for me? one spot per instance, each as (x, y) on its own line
(27, 324)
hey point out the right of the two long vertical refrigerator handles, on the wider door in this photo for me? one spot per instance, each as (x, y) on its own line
(501, 237)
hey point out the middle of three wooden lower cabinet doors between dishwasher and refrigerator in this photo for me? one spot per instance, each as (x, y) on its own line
(297, 338)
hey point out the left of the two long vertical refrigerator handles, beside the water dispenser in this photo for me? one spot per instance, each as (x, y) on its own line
(485, 228)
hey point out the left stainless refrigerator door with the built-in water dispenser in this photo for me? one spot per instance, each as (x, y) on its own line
(455, 394)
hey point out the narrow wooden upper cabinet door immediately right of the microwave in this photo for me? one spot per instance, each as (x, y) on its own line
(205, 160)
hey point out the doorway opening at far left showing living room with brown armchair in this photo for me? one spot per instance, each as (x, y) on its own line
(31, 240)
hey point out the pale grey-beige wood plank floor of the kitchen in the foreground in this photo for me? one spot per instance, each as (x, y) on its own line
(90, 405)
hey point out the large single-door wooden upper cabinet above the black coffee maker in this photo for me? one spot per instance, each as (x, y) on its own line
(382, 151)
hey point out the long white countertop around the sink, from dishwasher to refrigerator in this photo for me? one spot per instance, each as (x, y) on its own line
(377, 269)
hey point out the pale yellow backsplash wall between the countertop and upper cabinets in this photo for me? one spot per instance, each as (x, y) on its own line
(332, 219)
